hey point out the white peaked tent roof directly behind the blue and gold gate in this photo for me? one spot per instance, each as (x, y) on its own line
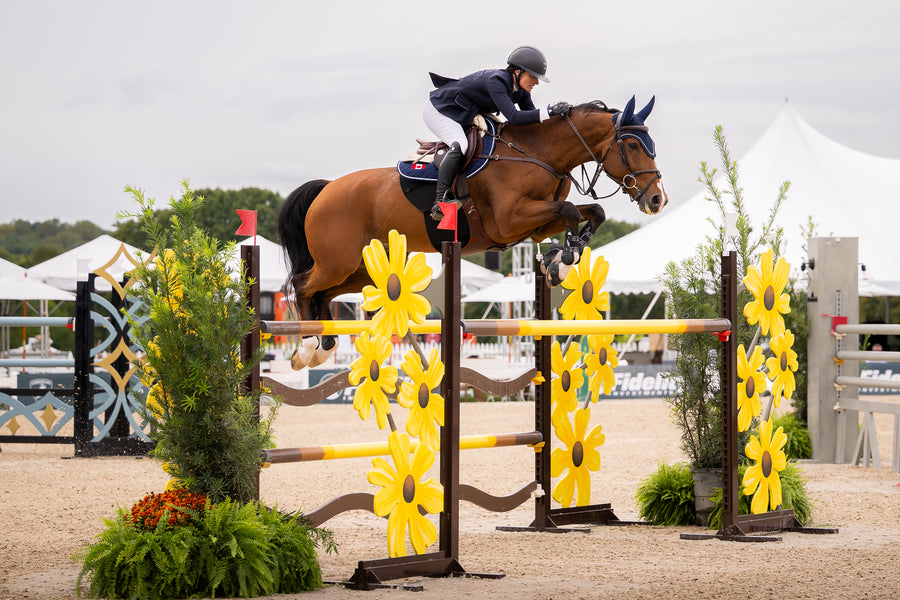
(65, 270)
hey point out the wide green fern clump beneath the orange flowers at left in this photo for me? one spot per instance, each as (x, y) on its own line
(229, 549)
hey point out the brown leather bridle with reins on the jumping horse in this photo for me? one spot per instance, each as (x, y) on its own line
(587, 183)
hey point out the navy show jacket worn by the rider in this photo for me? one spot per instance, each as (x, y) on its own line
(488, 91)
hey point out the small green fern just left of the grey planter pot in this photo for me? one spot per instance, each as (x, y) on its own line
(666, 497)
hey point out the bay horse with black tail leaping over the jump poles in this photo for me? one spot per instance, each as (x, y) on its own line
(324, 225)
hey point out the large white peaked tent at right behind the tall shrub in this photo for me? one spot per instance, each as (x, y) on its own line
(843, 191)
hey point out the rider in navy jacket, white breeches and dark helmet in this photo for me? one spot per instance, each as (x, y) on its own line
(451, 107)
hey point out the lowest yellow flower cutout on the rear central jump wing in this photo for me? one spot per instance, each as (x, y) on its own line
(579, 457)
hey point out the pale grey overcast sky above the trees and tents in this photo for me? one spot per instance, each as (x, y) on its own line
(100, 95)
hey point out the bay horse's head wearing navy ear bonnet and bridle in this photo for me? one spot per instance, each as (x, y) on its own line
(633, 167)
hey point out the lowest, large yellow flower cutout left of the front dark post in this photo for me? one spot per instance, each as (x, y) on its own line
(402, 494)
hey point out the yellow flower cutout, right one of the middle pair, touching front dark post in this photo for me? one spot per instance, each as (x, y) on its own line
(426, 408)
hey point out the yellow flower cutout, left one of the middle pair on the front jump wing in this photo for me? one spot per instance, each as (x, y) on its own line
(374, 381)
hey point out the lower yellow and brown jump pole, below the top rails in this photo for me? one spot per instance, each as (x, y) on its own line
(364, 449)
